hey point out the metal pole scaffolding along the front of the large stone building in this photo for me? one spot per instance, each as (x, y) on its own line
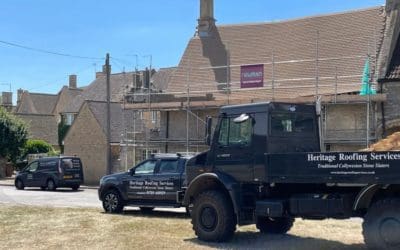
(338, 87)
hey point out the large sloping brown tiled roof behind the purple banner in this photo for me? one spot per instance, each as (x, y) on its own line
(342, 42)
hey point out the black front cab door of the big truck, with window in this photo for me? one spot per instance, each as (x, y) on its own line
(234, 151)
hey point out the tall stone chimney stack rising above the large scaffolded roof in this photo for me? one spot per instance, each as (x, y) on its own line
(206, 21)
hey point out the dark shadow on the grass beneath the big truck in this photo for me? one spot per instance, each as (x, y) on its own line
(255, 240)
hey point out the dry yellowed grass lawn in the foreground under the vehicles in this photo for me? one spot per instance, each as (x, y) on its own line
(25, 227)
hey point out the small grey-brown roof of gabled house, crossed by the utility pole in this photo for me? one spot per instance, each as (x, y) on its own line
(121, 120)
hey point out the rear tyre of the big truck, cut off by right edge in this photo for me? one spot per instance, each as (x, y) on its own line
(381, 226)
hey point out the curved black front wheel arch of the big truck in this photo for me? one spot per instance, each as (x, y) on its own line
(210, 181)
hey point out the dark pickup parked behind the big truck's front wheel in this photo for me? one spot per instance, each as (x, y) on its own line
(155, 182)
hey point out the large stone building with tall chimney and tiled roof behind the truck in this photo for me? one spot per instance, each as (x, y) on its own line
(301, 60)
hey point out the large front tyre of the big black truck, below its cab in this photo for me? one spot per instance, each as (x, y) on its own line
(213, 218)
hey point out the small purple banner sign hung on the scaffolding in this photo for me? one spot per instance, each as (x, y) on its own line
(252, 76)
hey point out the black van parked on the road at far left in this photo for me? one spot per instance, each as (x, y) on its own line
(50, 173)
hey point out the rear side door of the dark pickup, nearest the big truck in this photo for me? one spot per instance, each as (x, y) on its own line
(168, 179)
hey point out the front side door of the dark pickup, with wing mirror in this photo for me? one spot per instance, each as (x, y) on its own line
(139, 185)
